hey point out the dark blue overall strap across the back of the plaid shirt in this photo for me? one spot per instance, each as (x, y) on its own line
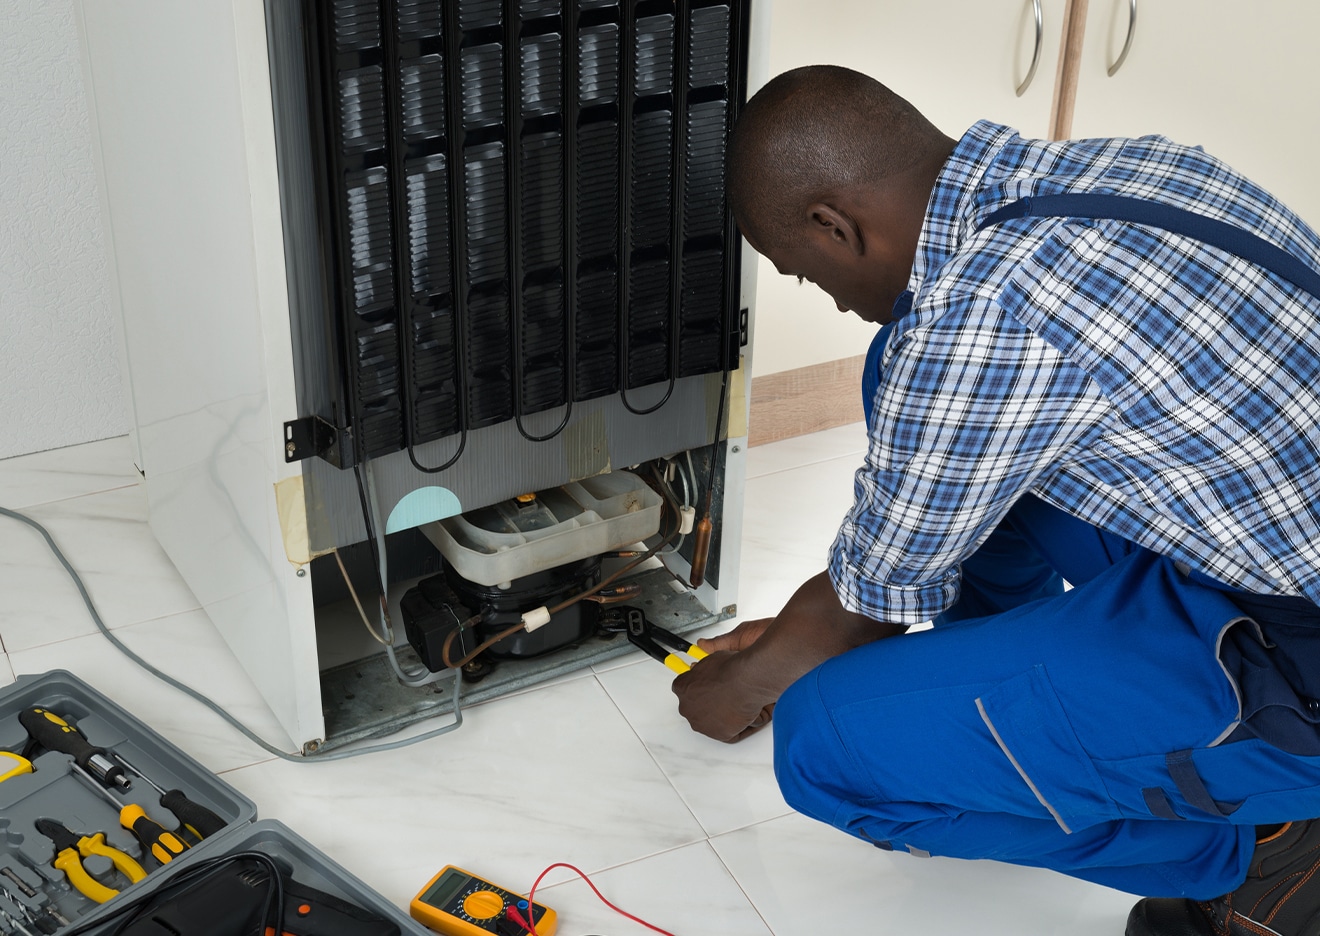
(1228, 238)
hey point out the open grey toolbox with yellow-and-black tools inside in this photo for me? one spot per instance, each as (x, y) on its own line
(61, 813)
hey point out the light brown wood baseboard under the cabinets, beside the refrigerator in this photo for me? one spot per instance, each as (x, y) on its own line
(806, 399)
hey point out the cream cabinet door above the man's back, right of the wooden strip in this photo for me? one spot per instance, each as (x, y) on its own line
(1237, 79)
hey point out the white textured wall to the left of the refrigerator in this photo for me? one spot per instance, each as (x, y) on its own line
(60, 381)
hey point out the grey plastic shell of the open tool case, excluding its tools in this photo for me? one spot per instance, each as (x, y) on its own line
(53, 791)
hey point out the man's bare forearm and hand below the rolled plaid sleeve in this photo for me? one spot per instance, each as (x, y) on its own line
(732, 692)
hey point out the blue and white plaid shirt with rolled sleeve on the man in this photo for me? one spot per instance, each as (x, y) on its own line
(1144, 382)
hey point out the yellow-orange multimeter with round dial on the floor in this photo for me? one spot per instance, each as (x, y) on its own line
(459, 904)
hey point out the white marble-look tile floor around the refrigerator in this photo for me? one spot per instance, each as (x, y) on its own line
(596, 770)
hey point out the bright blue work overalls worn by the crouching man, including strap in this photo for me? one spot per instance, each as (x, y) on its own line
(1131, 732)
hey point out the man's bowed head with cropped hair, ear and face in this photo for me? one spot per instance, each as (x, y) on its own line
(830, 175)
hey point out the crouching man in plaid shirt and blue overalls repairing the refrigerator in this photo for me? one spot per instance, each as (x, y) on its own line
(1078, 398)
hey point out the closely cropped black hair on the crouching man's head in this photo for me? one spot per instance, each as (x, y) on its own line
(810, 134)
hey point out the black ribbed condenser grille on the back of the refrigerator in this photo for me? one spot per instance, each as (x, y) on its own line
(521, 207)
